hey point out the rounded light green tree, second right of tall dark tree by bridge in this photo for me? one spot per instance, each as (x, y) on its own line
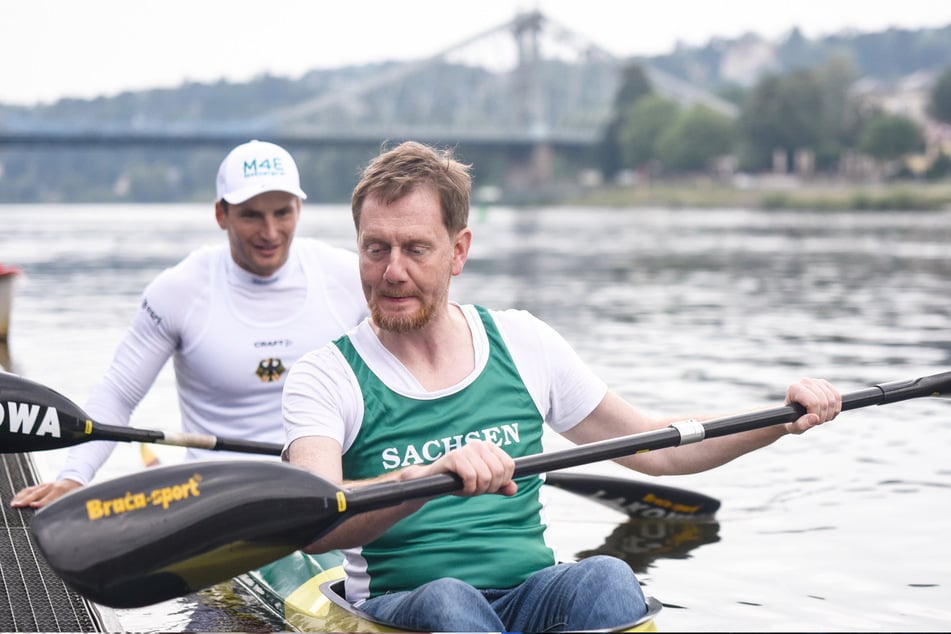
(695, 138)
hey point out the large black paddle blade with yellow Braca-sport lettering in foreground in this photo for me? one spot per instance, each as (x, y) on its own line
(168, 531)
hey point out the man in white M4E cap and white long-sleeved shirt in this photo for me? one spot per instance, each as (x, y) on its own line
(234, 318)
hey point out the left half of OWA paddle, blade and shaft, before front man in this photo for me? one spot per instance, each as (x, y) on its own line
(34, 417)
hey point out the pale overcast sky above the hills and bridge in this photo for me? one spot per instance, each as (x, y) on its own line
(87, 48)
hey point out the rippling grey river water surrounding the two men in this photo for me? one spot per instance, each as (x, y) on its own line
(682, 312)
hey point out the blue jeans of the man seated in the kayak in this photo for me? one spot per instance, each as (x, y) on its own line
(600, 592)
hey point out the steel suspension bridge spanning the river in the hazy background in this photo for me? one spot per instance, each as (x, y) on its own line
(533, 87)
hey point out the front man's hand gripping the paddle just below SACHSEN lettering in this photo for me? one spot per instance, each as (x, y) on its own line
(483, 466)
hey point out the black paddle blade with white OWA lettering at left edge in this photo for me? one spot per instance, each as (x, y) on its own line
(34, 417)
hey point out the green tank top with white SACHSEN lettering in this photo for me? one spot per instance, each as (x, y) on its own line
(488, 541)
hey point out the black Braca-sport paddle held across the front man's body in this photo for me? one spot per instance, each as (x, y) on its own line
(169, 531)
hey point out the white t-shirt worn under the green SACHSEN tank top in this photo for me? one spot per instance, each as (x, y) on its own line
(322, 396)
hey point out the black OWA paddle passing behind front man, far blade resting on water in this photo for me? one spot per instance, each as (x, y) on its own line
(34, 417)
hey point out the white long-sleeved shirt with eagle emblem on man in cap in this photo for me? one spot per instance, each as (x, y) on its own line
(233, 337)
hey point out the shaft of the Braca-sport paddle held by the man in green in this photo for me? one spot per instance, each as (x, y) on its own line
(389, 493)
